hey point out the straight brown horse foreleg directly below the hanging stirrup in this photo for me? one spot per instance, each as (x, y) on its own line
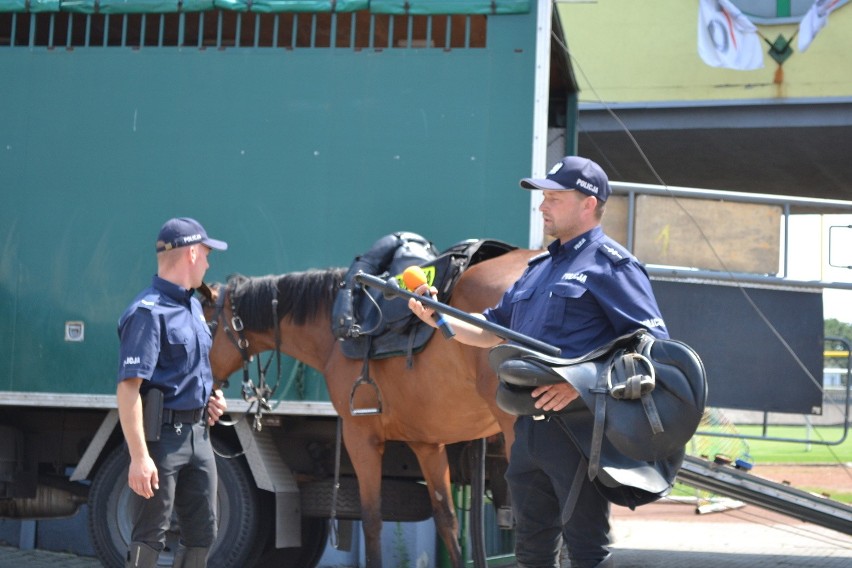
(366, 448)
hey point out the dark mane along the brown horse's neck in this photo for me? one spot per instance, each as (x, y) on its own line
(301, 295)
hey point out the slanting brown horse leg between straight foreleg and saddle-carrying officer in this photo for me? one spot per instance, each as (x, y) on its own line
(436, 471)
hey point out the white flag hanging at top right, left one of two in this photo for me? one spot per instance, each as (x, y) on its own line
(726, 38)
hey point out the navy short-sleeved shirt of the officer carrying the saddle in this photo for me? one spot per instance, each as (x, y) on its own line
(580, 295)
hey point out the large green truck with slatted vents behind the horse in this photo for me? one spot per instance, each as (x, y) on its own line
(300, 131)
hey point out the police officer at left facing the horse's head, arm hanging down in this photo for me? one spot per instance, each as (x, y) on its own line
(165, 345)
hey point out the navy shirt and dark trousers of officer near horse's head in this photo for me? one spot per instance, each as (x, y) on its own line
(166, 342)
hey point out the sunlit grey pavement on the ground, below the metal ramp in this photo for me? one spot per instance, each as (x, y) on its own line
(666, 534)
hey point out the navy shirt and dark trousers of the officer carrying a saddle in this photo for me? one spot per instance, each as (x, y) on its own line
(577, 296)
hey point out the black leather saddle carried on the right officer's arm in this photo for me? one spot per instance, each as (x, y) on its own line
(641, 400)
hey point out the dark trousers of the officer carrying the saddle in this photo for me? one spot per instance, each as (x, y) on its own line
(541, 471)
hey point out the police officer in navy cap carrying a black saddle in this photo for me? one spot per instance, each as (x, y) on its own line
(585, 291)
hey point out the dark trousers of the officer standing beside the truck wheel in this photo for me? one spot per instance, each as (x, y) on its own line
(187, 471)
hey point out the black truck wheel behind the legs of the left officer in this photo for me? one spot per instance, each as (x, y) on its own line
(240, 514)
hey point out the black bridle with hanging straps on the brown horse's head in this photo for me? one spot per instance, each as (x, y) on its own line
(234, 329)
